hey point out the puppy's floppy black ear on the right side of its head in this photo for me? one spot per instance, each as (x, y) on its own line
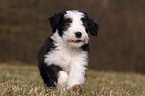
(91, 25)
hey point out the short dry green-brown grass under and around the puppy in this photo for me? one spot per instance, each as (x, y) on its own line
(26, 81)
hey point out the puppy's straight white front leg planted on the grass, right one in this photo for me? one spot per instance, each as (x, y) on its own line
(76, 76)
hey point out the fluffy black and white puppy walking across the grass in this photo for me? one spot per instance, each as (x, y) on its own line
(64, 56)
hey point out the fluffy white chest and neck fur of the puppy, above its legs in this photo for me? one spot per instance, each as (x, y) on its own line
(65, 56)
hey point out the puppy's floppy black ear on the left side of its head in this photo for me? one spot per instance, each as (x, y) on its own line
(55, 21)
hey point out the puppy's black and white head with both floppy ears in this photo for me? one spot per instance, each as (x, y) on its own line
(73, 27)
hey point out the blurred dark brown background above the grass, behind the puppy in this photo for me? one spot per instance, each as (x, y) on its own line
(119, 46)
